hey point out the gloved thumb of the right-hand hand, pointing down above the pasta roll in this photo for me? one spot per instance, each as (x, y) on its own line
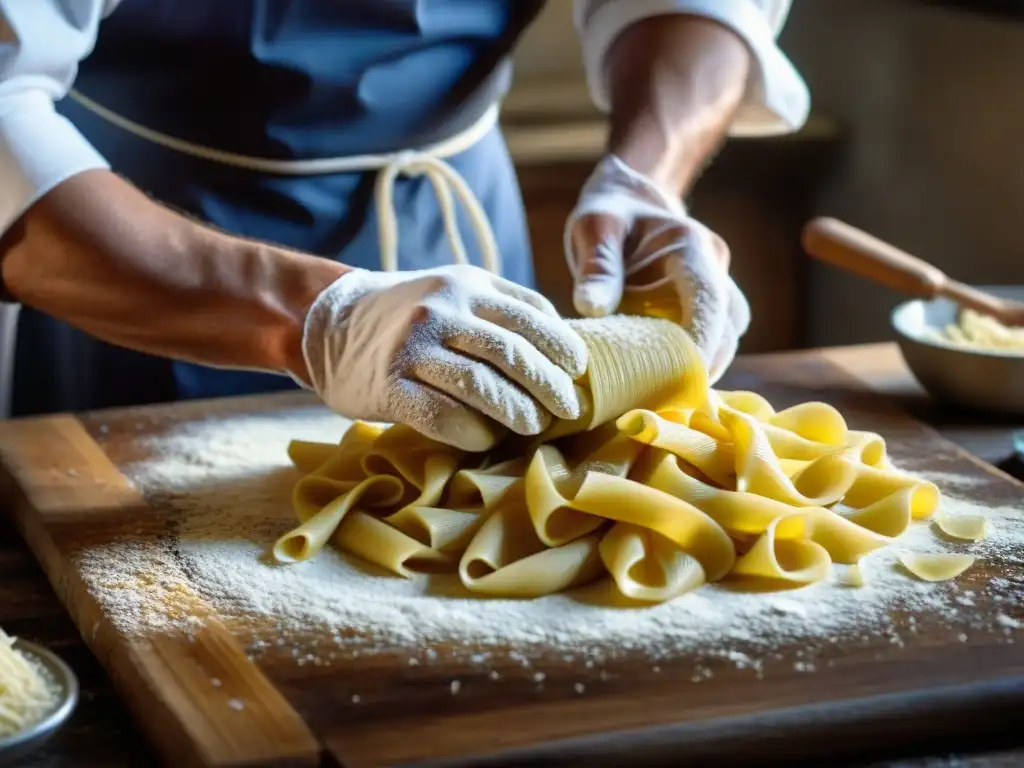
(596, 243)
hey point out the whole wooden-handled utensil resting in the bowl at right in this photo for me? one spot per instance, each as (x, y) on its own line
(848, 248)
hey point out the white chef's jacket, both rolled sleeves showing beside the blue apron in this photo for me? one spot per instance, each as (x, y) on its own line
(42, 41)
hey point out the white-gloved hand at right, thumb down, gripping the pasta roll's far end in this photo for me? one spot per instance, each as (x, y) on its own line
(627, 234)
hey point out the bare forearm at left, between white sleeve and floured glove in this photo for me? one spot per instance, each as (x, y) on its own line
(101, 255)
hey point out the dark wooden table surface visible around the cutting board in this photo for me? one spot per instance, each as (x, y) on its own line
(102, 734)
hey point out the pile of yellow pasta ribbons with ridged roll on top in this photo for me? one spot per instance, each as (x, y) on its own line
(664, 485)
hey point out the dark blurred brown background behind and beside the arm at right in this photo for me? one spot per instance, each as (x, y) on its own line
(916, 137)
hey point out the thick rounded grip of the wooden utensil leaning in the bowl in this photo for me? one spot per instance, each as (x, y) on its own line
(848, 248)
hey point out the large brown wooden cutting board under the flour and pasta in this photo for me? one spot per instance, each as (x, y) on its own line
(68, 494)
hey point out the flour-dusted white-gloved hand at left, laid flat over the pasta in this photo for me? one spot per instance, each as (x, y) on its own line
(455, 353)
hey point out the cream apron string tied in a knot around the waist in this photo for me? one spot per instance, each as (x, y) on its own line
(429, 162)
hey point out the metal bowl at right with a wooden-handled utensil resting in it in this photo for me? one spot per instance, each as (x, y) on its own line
(977, 378)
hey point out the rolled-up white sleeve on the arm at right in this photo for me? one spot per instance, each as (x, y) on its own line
(778, 100)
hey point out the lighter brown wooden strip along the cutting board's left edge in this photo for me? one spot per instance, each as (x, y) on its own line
(67, 496)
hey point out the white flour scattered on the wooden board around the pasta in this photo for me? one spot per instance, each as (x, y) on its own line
(226, 486)
